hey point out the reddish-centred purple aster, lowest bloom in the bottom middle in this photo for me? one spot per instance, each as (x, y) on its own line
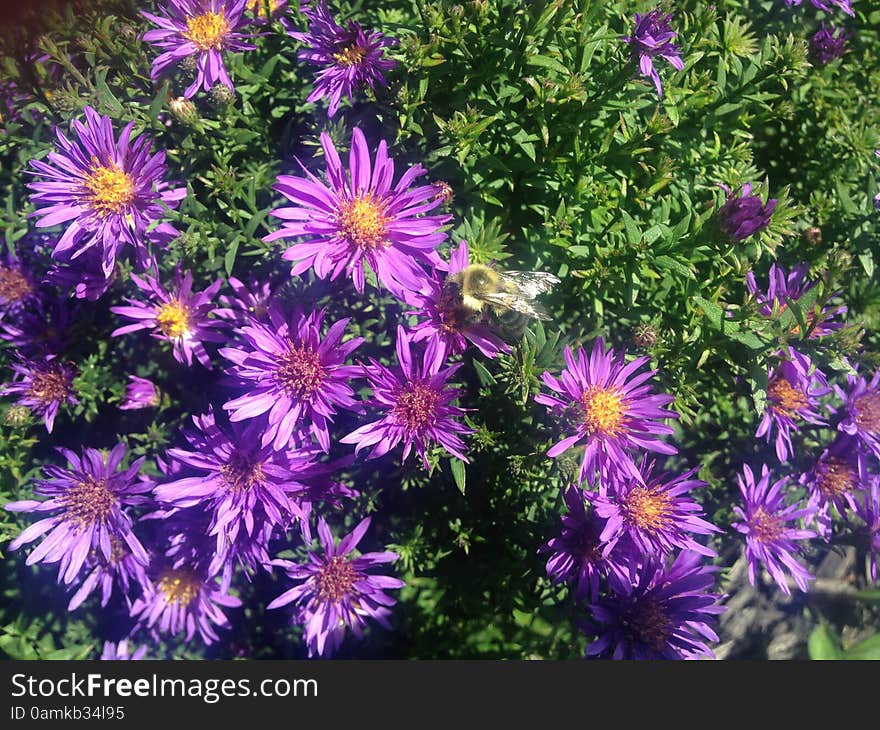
(336, 591)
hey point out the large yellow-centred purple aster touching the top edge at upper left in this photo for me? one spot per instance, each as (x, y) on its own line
(202, 28)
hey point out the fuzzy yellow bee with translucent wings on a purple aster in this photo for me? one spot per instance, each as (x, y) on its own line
(503, 300)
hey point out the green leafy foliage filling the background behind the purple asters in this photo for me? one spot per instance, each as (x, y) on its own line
(561, 159)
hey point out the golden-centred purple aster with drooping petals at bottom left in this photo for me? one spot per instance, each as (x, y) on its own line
(182, 600)
